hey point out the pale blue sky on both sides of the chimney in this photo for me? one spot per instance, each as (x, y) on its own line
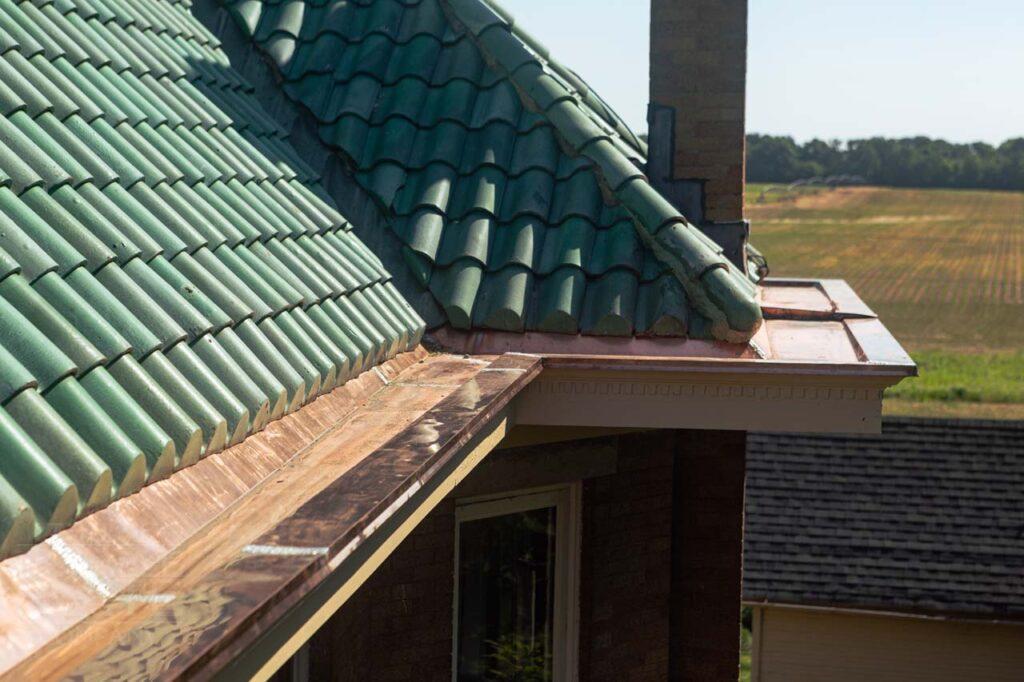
(952, 69)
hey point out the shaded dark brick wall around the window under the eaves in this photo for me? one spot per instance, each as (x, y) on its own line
(660, 570)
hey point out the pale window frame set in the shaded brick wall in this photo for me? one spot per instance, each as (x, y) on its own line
(568, 502)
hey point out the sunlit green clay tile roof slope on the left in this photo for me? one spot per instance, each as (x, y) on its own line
(172, 276)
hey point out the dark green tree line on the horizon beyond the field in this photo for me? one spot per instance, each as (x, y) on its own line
(909, 162)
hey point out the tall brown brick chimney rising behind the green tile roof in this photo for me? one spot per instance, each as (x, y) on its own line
(699, 68)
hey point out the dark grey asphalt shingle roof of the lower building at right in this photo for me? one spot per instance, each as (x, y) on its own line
(929, 517)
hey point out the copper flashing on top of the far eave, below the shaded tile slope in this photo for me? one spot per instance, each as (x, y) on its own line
(812, 327)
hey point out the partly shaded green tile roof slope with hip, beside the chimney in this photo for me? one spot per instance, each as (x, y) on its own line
(516, 192)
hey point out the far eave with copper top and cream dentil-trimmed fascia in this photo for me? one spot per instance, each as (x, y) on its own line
(821, 362)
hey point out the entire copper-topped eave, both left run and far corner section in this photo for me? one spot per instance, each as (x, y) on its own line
(227, 568)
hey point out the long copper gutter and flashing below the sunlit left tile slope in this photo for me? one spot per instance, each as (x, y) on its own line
(181, 579)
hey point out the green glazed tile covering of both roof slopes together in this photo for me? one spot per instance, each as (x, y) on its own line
(174, 277)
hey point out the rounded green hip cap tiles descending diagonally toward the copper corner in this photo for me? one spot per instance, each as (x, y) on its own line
(707, 277)
